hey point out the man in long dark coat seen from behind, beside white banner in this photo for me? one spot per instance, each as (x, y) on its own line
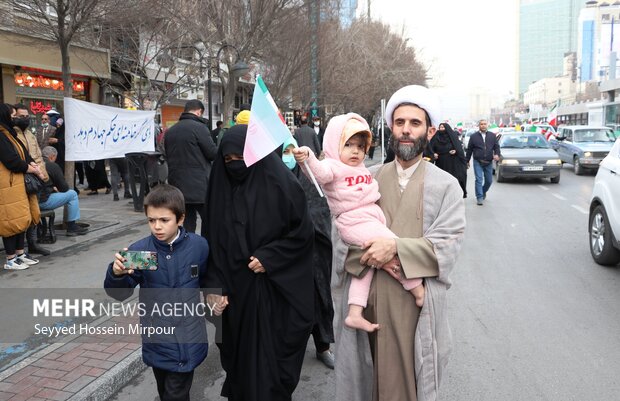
(189, 151)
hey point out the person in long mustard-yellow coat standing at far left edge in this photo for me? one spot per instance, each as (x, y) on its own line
(18, 210)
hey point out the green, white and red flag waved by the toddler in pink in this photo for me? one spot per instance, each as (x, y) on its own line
(266, 130)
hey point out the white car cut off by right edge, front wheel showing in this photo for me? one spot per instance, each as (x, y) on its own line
(604, 222)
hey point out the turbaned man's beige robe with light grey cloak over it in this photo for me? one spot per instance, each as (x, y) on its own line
(429, 219)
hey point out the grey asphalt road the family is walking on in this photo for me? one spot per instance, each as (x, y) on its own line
(532, 316)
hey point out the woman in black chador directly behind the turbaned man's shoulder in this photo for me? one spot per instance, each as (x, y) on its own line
(449, 155)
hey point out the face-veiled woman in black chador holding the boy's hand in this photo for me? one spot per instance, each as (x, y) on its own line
(261, 240)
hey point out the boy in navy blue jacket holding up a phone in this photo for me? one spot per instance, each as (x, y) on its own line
(181, 265)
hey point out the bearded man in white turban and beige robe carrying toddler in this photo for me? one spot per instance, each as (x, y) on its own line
(423, 204)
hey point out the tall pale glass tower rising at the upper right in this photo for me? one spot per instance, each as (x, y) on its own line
(547, 31)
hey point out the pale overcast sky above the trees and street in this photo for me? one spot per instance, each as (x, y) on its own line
(466, 45)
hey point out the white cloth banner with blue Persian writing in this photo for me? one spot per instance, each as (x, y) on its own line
(95, 132)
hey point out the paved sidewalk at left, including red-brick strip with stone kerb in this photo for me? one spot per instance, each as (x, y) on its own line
(80, 368)
